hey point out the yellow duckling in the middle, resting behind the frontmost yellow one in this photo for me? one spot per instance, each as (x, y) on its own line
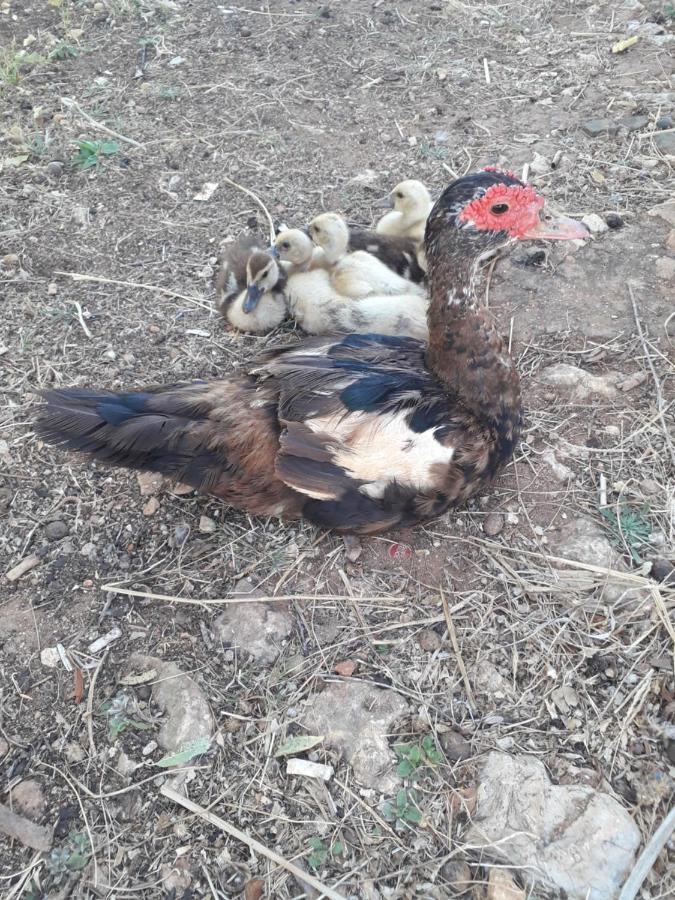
(356, 274)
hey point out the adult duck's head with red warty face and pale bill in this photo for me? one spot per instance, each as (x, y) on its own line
(484, 211)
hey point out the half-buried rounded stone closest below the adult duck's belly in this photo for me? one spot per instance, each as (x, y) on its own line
(259, 628)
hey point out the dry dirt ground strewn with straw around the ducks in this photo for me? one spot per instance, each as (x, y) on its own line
(318, 107)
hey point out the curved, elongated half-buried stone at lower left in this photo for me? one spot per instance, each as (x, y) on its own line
(188, 716)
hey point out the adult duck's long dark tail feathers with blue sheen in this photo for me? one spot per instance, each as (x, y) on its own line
(165, 430)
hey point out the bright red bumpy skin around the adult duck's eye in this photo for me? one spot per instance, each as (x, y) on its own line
(513, 208)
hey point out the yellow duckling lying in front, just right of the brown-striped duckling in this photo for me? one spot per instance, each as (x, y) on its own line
(319, 308)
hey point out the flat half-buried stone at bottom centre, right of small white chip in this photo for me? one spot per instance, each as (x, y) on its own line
(355, 719)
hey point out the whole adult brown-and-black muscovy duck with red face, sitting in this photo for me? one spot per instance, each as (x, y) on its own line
(358, 433)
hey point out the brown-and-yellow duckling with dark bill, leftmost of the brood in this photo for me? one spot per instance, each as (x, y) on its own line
(259, 305)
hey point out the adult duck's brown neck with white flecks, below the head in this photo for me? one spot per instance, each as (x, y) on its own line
(465, 351)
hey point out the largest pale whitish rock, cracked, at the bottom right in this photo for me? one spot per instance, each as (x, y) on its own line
(525, 821)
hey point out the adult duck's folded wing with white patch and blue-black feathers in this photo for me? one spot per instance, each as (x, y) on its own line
(359, 414)
